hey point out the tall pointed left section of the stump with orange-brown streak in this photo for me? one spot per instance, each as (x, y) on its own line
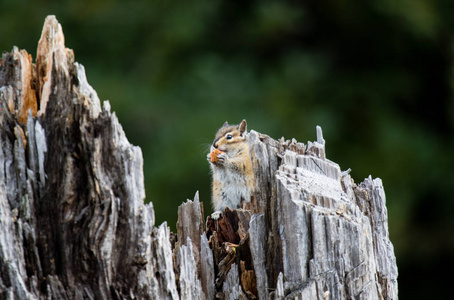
(73, 223)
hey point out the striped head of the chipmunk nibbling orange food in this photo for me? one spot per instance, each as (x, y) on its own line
(229, 137)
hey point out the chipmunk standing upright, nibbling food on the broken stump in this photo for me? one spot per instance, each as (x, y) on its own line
(233, 178)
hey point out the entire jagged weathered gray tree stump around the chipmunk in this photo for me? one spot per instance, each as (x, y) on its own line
(73, 224)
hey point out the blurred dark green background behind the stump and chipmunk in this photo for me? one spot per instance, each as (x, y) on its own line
(377, 75)
